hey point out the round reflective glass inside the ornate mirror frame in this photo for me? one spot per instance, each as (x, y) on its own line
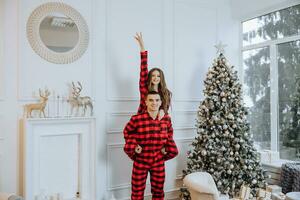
(59, 32)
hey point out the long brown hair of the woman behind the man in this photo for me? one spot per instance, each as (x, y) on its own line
(165, 93)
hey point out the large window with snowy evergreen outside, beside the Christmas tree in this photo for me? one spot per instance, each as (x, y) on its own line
(271, 76)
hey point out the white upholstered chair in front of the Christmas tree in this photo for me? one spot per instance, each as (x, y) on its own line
(201, 186)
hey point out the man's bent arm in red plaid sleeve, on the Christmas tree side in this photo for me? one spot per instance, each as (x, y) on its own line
(170, 148)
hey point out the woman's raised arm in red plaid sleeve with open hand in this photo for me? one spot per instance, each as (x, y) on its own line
(143, 73)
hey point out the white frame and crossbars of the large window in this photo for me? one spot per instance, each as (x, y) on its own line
(272, 44)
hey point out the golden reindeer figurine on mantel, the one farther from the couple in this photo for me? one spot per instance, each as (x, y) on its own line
(38, 106)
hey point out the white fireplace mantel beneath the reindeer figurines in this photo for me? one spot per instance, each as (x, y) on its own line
(59, 157)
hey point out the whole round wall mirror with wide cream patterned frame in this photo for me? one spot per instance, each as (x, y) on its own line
(51, 27)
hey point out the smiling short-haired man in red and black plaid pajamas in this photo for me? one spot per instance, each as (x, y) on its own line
(149, 143)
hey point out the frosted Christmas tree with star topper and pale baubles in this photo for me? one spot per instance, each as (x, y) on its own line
(223, 146)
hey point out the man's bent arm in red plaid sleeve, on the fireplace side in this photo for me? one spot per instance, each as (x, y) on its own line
(130, 142)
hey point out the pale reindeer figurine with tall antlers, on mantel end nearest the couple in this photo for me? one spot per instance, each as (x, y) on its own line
(77, 101)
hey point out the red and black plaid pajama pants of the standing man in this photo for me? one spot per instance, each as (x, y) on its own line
(139, 177)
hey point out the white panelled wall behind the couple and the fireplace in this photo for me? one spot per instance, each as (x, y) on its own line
(180, 36)
